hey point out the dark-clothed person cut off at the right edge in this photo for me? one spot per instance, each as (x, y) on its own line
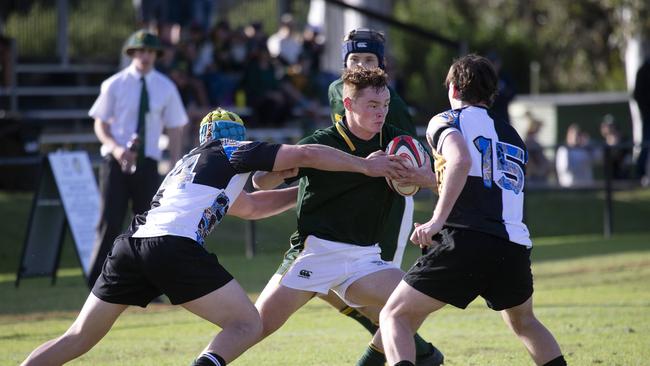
(642, 97)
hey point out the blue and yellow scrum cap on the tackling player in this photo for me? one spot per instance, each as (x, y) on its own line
(221, 124)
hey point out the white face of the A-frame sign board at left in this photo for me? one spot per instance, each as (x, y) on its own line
(78, 190)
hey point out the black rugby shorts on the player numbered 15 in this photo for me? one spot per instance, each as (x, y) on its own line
(468, 264)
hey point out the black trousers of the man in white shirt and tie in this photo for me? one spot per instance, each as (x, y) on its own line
(116, 189)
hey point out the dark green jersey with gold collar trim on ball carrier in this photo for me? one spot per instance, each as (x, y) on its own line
(341, 206)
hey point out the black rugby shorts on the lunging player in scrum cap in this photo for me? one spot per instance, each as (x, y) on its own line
(137, 270)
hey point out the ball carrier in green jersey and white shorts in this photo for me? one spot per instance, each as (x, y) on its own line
(341, 219)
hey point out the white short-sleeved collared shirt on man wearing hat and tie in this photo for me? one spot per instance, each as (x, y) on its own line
(118, 104)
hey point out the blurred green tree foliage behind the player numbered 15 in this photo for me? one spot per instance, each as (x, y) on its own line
(579, 45)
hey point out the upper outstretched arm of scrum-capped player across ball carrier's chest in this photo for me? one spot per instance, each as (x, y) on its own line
(327, 158)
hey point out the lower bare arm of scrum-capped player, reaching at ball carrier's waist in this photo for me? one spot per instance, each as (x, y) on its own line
(262, 204)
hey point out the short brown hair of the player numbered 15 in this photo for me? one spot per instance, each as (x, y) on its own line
(475, 79)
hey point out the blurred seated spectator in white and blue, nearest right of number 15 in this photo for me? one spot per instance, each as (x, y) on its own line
(574, 160)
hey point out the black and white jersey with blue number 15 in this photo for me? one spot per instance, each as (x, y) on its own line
(492, 199)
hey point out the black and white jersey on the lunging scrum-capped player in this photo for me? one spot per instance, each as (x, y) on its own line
(197, 192)
